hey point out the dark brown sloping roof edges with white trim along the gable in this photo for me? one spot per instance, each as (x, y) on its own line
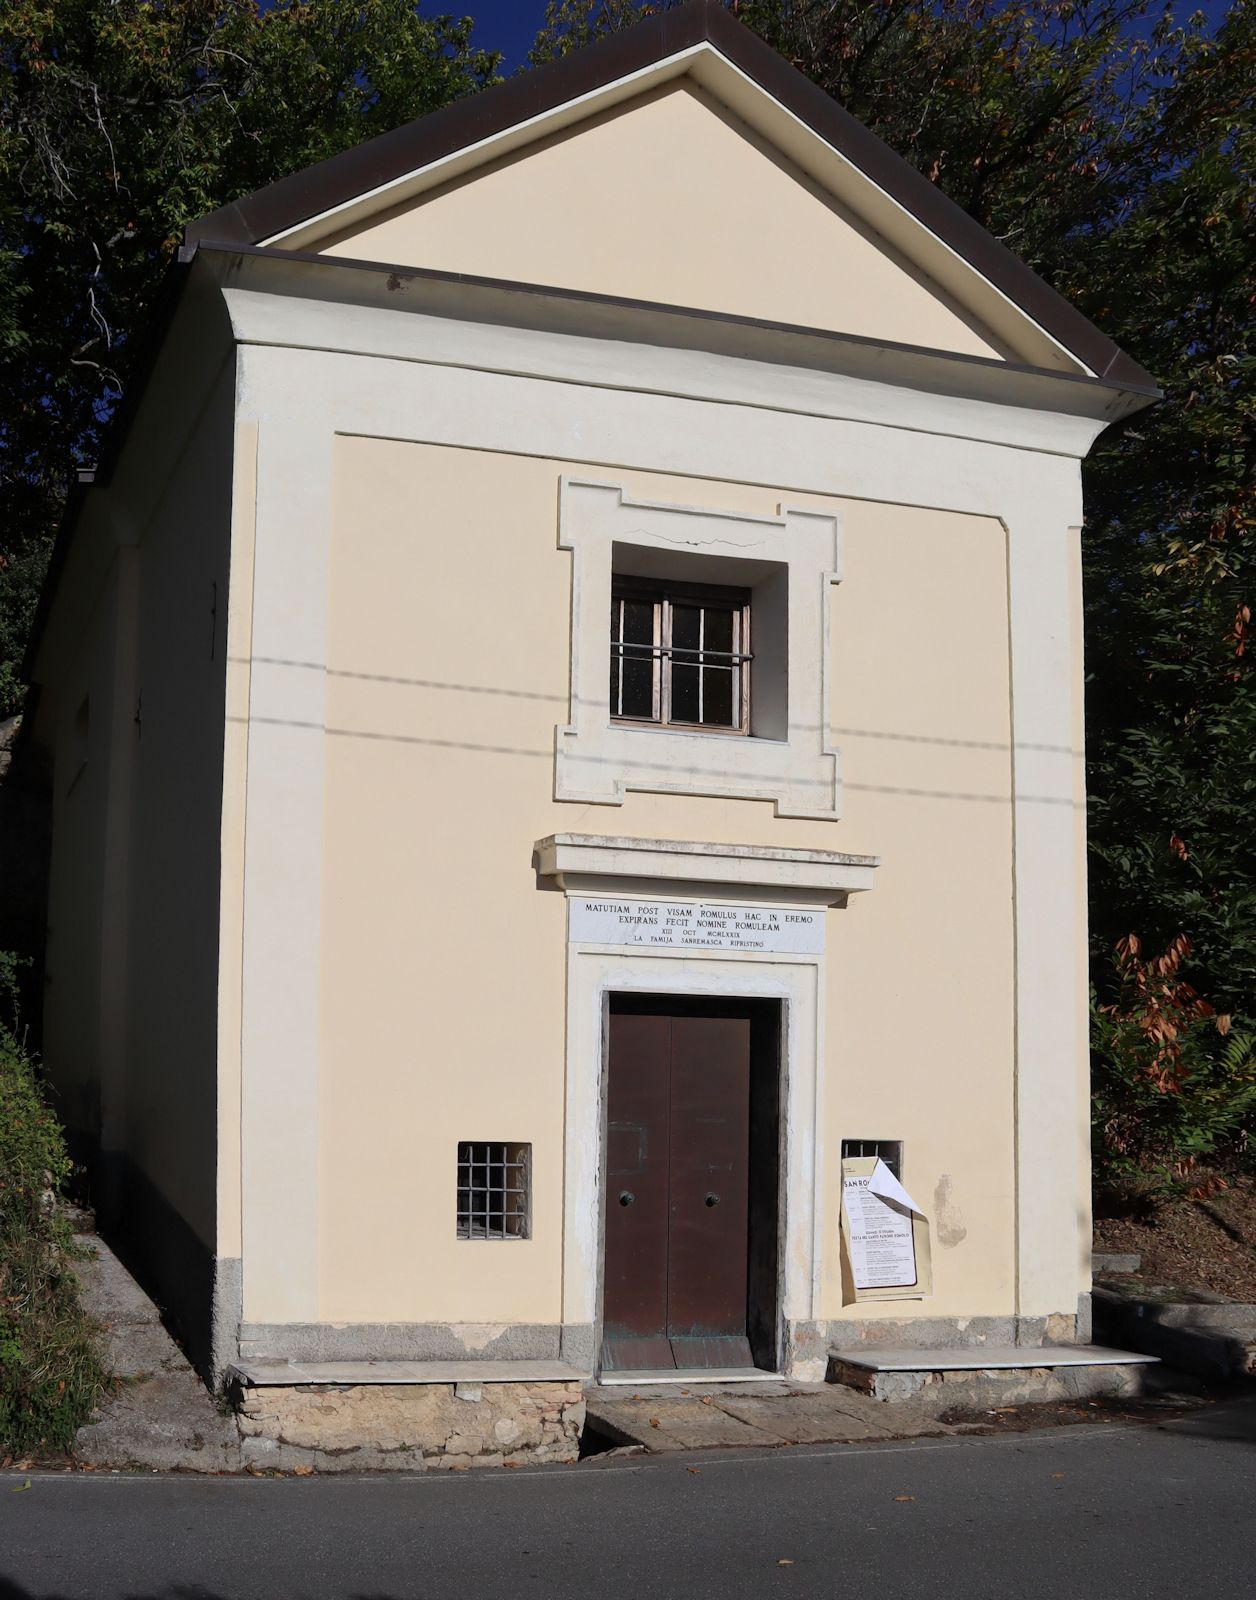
(282, 209)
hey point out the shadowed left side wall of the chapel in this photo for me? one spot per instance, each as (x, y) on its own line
(135, 711)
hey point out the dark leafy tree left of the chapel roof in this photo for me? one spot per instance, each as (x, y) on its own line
(121, 121)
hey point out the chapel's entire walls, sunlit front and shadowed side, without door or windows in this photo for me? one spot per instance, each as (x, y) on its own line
(353, 764)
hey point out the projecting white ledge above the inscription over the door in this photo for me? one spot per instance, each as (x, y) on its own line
(593, 863)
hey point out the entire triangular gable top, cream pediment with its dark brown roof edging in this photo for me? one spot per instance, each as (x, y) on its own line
(681, 162)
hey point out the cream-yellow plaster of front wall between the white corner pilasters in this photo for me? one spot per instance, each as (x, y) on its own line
(430, 702)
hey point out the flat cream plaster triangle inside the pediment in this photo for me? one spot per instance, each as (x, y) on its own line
(671, 199)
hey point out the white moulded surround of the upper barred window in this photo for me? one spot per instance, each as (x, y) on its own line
(598, 761)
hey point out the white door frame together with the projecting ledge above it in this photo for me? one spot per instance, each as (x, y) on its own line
(730, 874)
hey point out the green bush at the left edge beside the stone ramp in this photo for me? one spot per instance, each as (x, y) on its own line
(52, 1374)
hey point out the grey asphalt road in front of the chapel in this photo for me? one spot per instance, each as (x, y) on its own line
(1103, 1511)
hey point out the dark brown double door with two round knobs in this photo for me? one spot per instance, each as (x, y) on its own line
(678, 1244)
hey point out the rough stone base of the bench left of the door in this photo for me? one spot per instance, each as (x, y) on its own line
(409, 1428)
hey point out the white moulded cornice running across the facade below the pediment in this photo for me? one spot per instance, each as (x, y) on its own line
(665, 351)
